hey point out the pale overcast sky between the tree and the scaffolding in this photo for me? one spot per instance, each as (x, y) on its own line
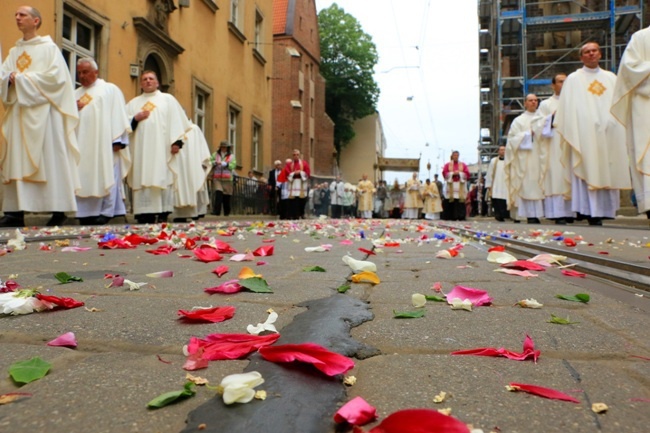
(427, 74)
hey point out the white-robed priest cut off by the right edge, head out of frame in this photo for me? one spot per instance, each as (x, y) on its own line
(631, 106)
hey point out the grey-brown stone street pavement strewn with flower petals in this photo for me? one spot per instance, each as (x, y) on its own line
(130, 341)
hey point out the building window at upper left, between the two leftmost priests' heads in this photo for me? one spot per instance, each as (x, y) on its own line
(80, 37)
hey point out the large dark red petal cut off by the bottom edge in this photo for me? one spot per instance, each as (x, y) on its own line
(420, 421)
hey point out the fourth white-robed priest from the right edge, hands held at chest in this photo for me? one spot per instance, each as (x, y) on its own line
(523, 166)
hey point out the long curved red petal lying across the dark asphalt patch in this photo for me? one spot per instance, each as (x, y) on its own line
(330, 363)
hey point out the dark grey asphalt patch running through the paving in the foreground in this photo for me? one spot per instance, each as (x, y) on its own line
(299, 397)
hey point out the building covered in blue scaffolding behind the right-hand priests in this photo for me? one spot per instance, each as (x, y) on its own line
(524, 43)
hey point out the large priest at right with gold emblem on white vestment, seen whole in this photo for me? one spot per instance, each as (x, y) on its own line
(593, 141)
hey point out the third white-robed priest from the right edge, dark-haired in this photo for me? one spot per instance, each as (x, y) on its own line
(555, 176)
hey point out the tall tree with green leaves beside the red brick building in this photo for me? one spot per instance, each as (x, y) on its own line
(348, 56)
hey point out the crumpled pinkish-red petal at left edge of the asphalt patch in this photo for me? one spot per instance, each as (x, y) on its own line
(229, 346)
